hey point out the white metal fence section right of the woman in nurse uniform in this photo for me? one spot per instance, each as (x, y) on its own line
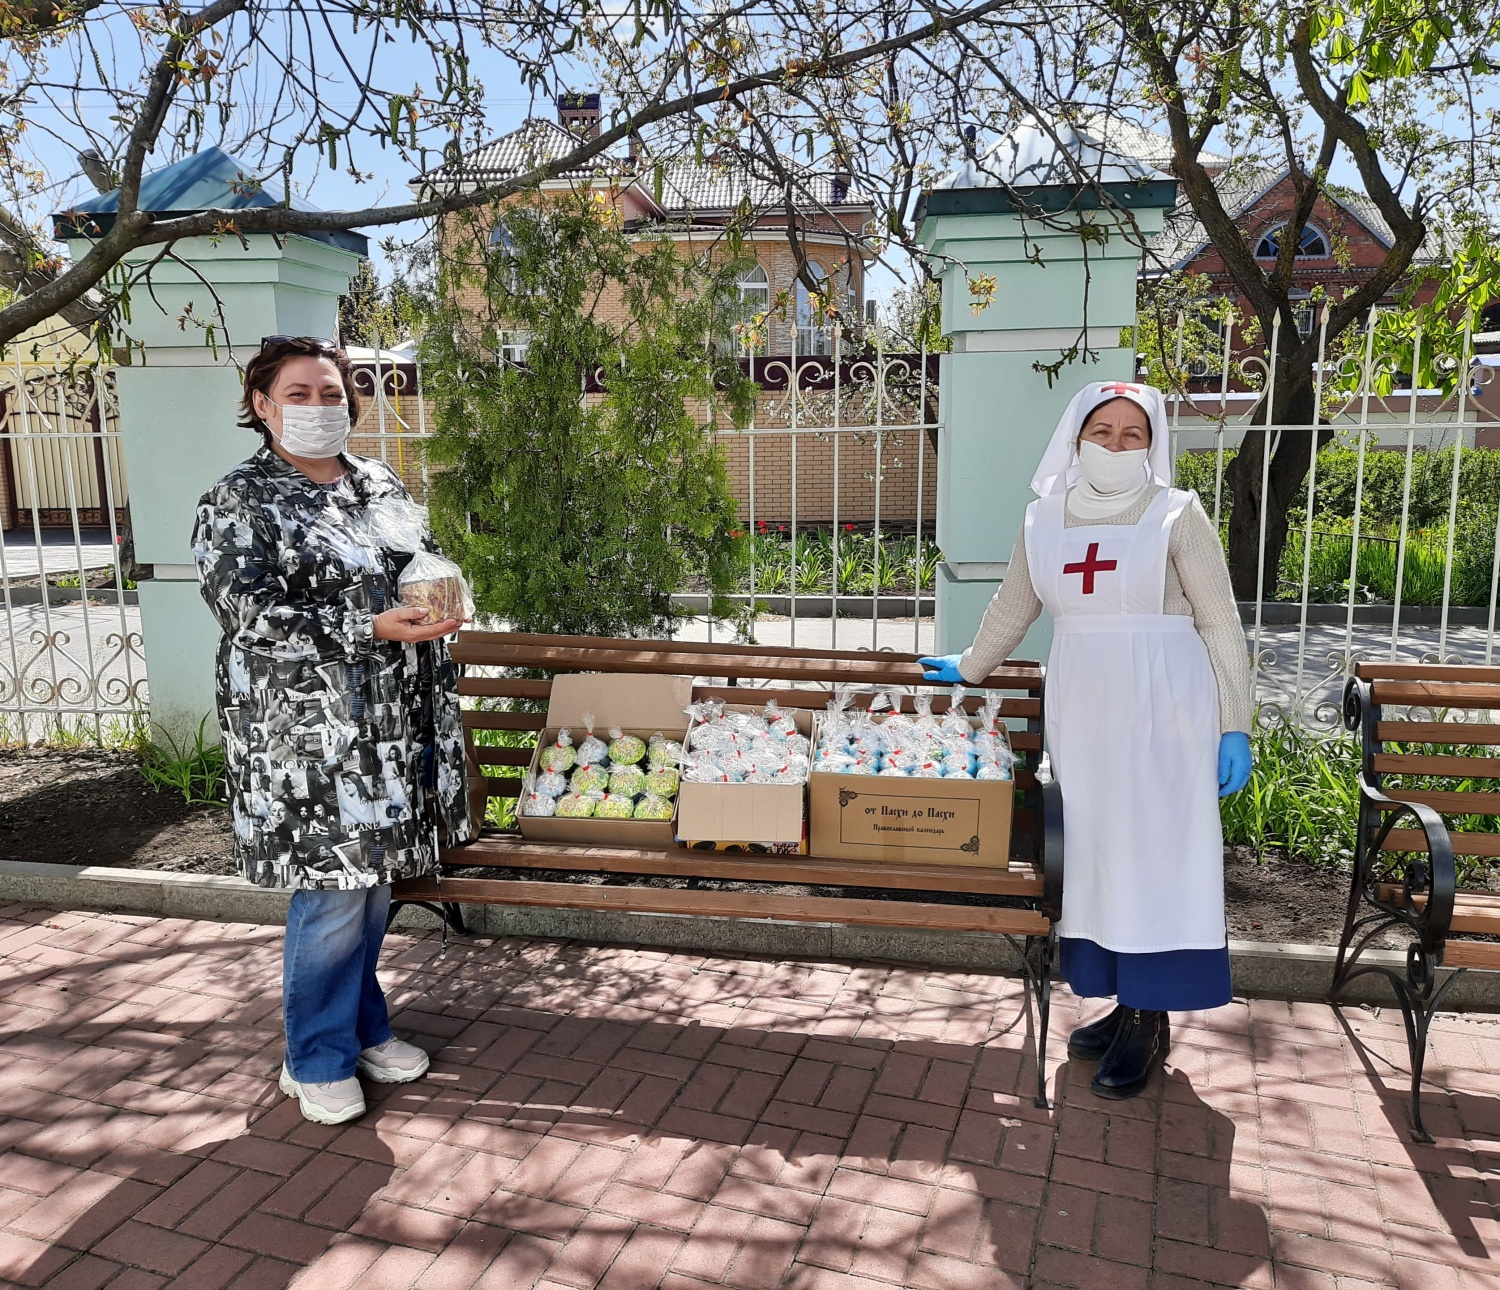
(1393, 595)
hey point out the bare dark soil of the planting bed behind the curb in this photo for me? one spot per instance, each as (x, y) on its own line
(94, 808)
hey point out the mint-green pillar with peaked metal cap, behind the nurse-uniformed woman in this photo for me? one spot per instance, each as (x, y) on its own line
(1066, 260)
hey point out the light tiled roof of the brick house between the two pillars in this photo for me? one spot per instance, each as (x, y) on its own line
(686, 187)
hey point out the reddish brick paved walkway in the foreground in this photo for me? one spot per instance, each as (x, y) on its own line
(632, 1120)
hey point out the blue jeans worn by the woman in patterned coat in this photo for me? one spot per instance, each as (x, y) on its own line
(332, 1004)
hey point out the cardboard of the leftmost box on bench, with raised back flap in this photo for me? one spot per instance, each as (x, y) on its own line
(638, 706)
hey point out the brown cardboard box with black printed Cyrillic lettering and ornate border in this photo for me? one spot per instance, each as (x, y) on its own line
(911, 821)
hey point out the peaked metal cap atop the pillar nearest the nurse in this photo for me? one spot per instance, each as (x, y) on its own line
(1049, 169)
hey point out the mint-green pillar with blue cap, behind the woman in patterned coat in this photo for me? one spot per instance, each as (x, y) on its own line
(179, 394)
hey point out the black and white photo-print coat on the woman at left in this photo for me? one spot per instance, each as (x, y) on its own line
(337, 743)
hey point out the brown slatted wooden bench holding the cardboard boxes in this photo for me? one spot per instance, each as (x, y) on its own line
(1018, 899)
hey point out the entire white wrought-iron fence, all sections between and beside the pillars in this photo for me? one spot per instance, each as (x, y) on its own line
(1393, 551)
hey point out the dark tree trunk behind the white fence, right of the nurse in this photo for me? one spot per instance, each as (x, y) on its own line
(1247, 476)
